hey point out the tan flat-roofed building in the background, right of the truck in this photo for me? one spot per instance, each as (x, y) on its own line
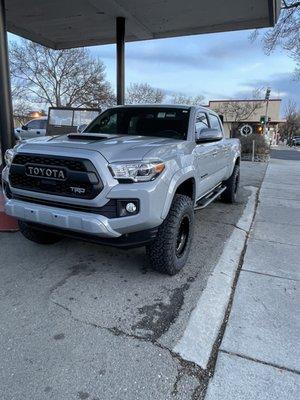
(244, 117)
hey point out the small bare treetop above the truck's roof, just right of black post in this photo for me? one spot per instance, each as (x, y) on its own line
(143, 93)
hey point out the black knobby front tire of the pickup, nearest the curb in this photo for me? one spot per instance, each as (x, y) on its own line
(164, 251)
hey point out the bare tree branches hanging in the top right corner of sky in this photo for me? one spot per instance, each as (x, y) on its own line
(286, 32)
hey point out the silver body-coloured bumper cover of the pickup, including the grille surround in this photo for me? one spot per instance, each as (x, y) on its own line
(85, 215)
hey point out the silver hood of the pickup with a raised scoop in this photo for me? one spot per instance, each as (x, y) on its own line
(112, 147)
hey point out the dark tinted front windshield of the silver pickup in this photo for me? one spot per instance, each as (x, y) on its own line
(145, 121)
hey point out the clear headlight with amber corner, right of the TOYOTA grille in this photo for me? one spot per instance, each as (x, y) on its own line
(136, 171)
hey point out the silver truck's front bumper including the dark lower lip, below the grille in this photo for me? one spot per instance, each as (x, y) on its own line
(90, 224)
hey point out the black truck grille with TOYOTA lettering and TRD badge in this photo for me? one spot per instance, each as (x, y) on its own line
(82, 179)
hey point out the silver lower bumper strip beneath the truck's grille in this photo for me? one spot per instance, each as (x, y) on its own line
(64, 219)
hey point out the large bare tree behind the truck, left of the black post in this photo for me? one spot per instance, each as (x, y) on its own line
(59, 77)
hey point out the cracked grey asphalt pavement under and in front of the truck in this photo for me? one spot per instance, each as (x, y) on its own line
(83, 321)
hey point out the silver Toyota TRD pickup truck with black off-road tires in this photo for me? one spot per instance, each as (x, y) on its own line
(134, 177)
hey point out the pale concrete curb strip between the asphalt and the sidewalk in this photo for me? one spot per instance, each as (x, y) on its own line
(203, 327)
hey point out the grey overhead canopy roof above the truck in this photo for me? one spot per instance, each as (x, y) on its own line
(61, 24)
